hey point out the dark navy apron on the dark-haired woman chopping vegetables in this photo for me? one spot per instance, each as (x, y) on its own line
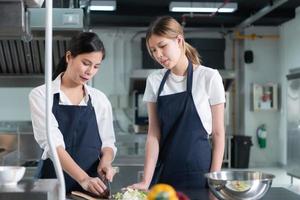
(79, 127)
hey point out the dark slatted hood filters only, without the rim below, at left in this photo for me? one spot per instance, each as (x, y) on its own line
(23, 58)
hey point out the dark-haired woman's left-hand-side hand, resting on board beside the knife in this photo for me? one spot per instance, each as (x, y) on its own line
(93, 185)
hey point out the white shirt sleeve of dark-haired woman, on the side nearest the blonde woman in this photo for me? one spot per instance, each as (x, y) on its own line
(104, 117)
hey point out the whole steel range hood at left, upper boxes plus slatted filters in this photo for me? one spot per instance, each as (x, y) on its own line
(22, 58)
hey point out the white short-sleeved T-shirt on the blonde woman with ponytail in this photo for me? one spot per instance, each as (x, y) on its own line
(207, 90)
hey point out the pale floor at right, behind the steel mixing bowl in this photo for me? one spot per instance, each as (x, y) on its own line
(281, 178)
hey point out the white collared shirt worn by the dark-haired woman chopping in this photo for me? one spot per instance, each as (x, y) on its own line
(101, 104)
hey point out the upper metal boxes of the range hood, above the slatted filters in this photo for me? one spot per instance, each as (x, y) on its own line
(20, 17)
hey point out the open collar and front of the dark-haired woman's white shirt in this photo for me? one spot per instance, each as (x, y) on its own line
(62, 97)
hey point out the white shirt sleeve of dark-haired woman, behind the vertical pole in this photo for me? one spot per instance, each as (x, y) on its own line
(37, 102)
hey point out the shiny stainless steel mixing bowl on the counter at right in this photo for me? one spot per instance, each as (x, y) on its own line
(239, 184)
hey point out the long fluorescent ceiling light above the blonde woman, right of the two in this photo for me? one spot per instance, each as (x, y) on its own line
(202, 7)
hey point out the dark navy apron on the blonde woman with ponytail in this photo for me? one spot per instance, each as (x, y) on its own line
(188, 152)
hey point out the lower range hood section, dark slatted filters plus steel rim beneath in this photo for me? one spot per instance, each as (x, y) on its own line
(22, 63)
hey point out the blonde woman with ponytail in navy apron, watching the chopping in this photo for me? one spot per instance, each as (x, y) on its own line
(185, 106)
